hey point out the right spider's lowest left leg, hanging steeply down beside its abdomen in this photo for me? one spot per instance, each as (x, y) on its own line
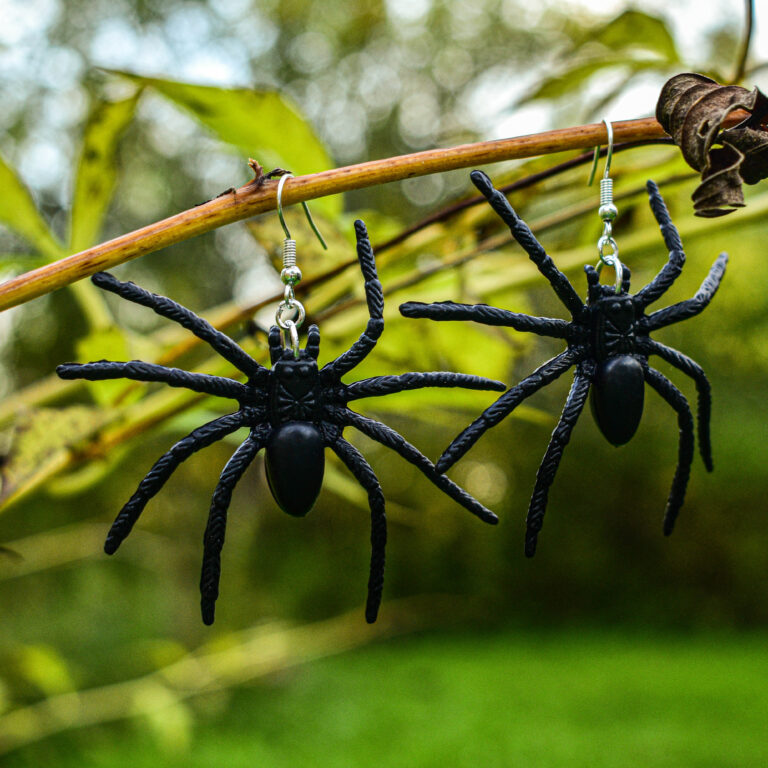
(551, 461)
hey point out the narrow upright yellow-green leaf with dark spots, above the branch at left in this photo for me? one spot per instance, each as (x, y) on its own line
(97, 169)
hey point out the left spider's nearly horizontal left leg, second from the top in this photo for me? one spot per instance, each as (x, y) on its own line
(137, 370)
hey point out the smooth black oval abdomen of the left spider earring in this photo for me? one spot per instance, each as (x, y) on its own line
(295, 462)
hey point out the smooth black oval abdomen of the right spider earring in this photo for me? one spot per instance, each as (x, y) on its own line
(617, 396)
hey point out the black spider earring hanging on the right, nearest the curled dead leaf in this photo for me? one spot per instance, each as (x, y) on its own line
(608, 341)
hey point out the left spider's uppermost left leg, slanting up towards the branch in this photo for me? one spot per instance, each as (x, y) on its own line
(165, 307)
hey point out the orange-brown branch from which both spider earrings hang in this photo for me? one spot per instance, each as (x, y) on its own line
(258, 196)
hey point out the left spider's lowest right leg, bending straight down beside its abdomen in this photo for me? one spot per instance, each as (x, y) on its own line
(365, 475)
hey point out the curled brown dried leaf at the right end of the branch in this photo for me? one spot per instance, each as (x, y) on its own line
(692, 109)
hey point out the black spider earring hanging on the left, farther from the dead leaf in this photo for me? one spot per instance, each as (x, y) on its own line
(292, 409)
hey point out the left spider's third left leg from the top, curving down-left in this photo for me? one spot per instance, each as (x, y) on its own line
(163, 468)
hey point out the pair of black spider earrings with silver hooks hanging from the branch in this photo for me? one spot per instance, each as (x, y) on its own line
(296, 410)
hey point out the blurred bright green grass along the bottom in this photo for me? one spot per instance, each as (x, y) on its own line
(505, 699)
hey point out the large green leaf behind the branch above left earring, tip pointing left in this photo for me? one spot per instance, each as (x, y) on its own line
(262, 124)
